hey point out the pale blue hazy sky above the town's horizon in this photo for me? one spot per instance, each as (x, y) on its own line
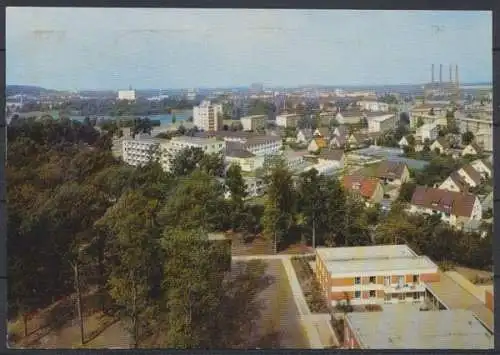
(112, 49)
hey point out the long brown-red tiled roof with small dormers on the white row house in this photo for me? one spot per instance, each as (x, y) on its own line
(456, 203)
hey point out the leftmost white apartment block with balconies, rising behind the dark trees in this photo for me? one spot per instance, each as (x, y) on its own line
(140, 150)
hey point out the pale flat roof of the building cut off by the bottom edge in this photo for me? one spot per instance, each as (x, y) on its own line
(400, 328)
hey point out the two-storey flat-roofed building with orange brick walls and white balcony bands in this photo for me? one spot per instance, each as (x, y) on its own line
(373, 274)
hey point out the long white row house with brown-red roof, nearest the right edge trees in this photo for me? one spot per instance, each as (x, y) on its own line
(454, 208)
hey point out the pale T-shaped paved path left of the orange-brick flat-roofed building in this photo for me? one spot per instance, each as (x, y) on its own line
(310, 322)
